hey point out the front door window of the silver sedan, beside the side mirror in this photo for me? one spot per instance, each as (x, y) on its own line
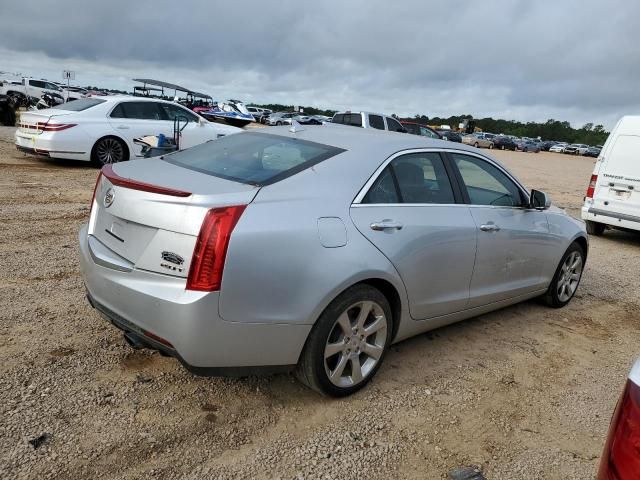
(486, 184)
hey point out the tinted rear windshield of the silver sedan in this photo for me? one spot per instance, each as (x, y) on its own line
(253, 158)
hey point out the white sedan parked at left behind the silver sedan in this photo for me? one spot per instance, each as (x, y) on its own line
(102, 129)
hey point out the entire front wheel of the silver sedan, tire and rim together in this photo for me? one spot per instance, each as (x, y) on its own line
(567, 277)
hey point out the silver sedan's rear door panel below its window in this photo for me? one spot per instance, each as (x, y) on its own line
(433, 252)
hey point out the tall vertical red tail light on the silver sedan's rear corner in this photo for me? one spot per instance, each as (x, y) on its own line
(207, 263)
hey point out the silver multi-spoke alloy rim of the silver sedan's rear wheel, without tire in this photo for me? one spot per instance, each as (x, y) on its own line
(355, 344)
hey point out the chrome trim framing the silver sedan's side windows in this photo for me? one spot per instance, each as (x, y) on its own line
(357, 201)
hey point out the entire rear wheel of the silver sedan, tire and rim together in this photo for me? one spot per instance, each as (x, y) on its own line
(348, 343)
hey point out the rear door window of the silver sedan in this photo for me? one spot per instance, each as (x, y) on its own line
(415, 178)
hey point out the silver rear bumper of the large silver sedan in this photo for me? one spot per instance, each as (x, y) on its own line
(139, 301)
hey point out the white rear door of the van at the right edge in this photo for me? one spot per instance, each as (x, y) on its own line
(618, 189)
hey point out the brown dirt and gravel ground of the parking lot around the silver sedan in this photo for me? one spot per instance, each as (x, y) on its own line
(525, 392)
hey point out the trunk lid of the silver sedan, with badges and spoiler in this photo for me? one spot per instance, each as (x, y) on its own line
(158, 231)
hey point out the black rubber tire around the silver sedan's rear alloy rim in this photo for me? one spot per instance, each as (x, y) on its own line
(313, 356)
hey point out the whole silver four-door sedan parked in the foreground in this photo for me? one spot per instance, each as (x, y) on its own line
(180, 251)
